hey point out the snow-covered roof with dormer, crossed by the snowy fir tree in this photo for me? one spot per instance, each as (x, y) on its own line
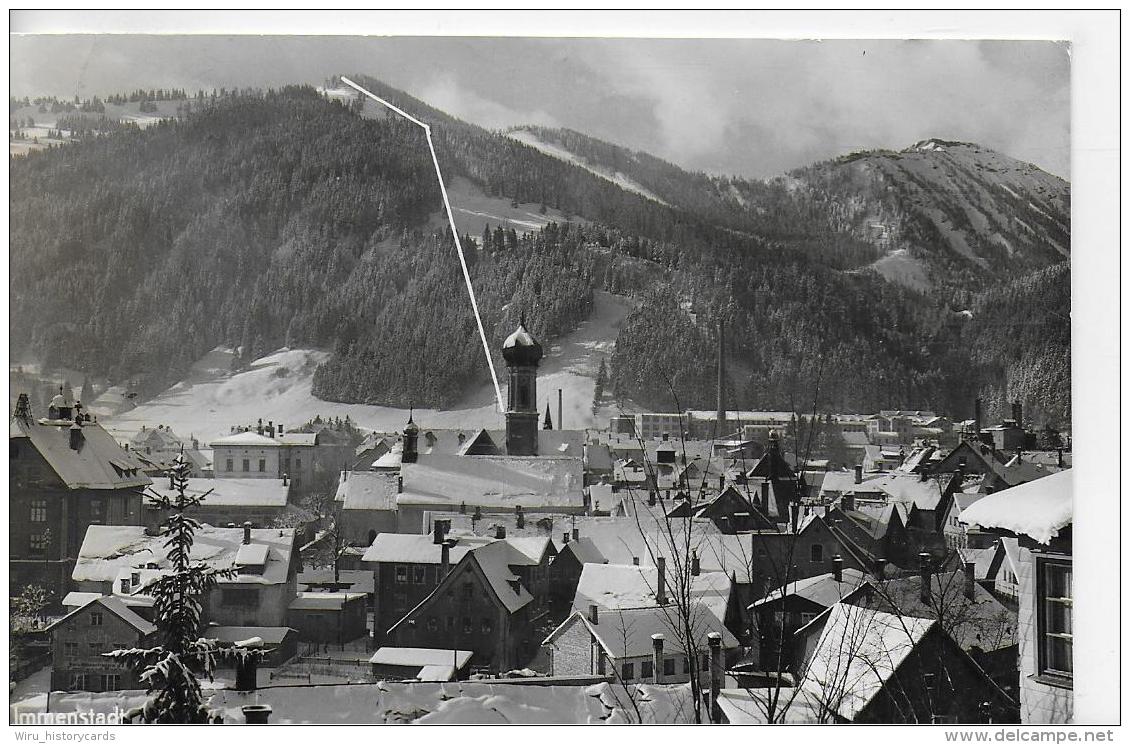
(108, 550)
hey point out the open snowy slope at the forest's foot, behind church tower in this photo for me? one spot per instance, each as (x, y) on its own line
(212, 400)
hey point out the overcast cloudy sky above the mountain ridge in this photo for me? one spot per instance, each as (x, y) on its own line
(750, 108)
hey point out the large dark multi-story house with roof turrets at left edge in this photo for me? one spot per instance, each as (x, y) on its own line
(66, 474)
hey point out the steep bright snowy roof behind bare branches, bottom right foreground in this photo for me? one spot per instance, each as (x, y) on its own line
(858, 652)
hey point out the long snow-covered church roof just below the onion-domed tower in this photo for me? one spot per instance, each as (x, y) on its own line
(535, 483)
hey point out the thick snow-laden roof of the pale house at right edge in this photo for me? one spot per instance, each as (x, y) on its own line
(1038, 509)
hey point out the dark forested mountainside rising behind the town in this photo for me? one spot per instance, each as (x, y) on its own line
(286, 219)
